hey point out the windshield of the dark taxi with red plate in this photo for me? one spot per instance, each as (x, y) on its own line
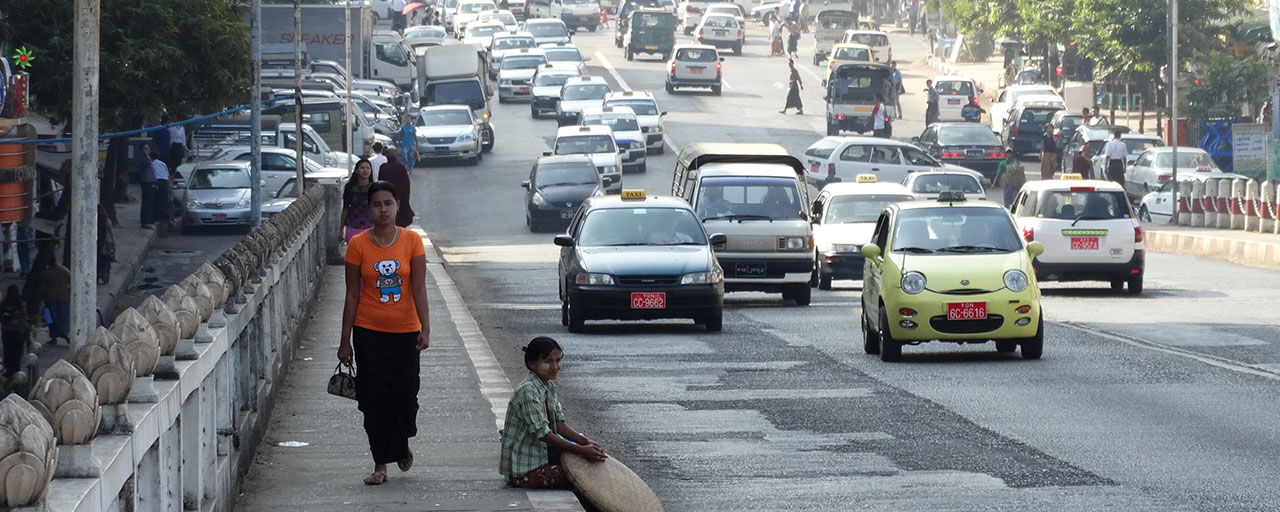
(642, 227)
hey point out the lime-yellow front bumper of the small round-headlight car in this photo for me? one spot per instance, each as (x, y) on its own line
(931, 317)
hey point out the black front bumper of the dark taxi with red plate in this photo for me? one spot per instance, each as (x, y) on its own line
(614, 303)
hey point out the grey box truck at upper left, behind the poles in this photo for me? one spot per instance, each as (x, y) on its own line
(381, 56)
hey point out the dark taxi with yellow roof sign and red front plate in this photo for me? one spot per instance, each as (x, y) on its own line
(637, 258)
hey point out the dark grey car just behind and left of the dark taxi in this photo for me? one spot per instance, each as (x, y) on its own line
(556, 188)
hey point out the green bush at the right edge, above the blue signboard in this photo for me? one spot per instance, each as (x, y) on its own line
(1224, 84)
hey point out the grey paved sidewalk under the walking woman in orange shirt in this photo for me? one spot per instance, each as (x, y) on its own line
(326, 455)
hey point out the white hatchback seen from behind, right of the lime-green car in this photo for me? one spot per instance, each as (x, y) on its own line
(1089, 231)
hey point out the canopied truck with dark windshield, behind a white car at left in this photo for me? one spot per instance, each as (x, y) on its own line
(458, 75)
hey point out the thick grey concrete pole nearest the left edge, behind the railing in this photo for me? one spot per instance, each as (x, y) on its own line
(85, 181)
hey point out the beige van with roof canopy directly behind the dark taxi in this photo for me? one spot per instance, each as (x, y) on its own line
(756, 194)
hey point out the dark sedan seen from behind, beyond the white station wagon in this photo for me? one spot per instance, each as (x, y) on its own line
(968, 145)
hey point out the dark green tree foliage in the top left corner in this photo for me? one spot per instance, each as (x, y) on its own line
(185, 57)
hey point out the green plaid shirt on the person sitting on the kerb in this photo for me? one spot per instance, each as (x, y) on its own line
(523, 447)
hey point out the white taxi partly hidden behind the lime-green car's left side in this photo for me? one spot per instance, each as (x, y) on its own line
(844, 220)
